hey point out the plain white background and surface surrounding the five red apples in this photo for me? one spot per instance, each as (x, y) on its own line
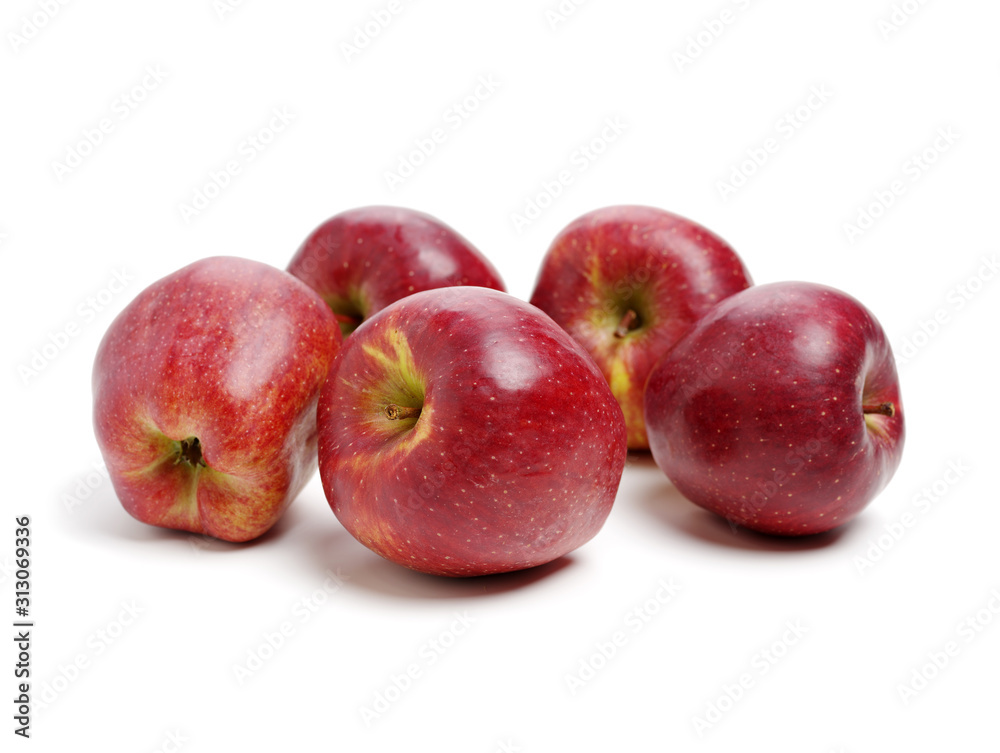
(167, 679)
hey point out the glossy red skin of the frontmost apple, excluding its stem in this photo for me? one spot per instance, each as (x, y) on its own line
(514, 459)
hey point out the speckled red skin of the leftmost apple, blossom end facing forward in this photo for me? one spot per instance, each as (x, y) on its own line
(231, 352)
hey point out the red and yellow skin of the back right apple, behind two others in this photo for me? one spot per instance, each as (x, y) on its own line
(668, 269)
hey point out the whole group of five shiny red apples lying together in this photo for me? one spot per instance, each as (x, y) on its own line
(460, 431)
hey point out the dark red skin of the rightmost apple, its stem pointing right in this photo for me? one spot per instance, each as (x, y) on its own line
(757, 413)
